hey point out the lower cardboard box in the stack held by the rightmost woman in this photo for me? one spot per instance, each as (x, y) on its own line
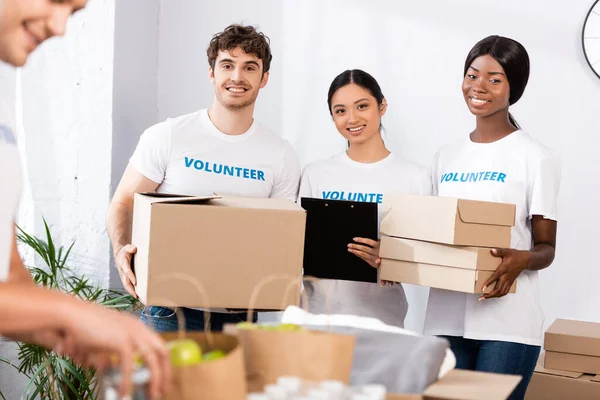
(462, 269)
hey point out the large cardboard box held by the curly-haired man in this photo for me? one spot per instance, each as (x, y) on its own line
(226, 244)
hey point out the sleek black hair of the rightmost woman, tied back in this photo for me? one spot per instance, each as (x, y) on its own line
(513, 58)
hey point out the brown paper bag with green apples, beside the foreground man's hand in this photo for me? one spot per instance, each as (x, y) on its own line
(222, 379)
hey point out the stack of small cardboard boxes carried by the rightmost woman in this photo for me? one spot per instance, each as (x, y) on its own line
(443, 242)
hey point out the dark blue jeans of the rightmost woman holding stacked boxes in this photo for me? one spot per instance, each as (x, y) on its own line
(499, 357)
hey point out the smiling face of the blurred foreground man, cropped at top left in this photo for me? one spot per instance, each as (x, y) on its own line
(25, 24)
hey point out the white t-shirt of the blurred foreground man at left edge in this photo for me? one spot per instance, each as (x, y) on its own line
(10, 176)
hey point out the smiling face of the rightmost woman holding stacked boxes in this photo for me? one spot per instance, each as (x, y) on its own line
(485, 87)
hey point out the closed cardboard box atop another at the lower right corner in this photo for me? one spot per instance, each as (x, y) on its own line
(573, 346)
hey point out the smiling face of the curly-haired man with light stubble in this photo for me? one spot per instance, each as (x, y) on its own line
(237, 77)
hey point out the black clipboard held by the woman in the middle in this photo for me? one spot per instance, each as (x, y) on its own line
(330, 226)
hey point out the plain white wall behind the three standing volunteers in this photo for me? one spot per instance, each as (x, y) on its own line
(416, 50)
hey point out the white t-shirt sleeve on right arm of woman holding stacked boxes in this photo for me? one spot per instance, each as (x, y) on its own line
(545, 185)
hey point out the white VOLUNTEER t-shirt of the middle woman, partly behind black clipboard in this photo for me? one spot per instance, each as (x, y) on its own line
(341, 178)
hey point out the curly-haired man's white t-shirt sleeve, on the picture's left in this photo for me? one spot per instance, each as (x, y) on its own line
(151, 155)
